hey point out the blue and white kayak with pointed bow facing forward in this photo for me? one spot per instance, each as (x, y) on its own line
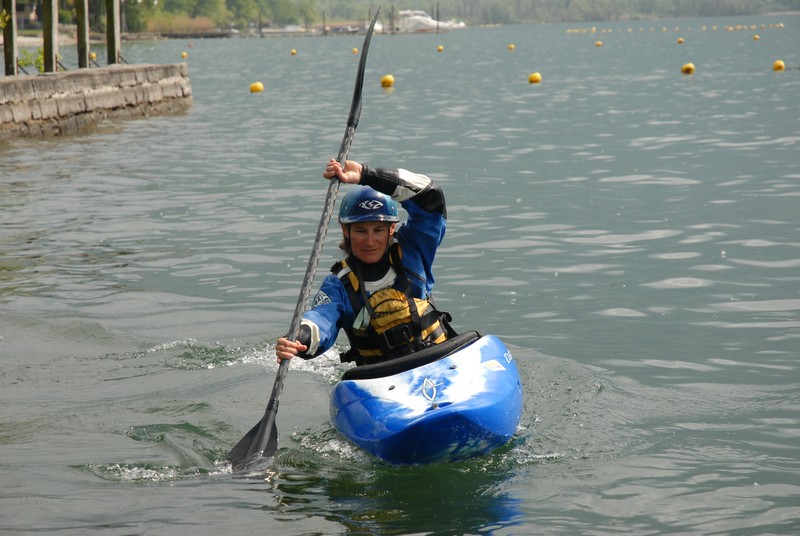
(459, 399)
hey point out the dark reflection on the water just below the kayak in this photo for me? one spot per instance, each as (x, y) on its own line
(444, 499)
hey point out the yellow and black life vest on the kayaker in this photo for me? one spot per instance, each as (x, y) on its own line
(399, 323)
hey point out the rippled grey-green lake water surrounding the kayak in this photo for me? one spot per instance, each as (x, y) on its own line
(630, 232)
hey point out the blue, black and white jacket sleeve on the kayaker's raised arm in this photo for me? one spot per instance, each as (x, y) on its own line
(419, 236)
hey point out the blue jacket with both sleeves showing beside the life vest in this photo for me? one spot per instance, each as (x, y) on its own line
(419, 237)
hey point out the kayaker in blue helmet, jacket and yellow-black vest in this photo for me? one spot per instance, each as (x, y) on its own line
(380, 294)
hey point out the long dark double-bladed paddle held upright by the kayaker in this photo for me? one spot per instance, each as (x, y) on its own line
(262, 440)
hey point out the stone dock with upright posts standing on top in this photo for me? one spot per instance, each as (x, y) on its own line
(56, 102)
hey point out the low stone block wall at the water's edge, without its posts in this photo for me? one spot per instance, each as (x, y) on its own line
(59, 103)
